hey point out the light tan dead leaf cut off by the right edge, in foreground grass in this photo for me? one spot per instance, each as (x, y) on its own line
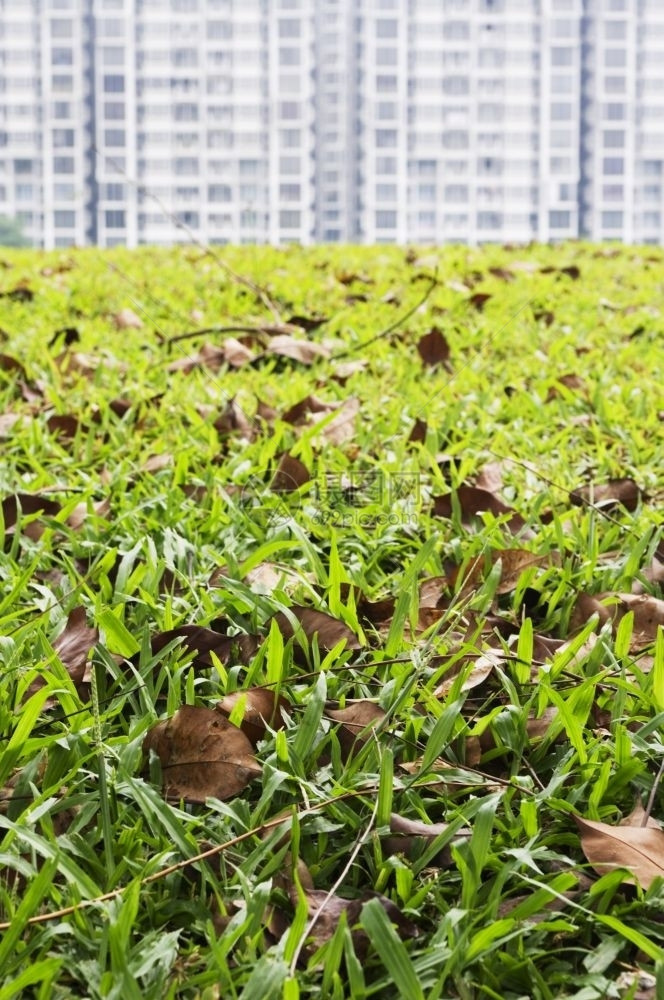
(639, 849)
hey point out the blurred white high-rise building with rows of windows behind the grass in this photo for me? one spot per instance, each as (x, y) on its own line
(152, 121)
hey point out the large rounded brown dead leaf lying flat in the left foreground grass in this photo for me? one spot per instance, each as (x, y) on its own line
(202, 755)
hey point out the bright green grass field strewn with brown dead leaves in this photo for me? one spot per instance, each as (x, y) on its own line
(331, 623)
